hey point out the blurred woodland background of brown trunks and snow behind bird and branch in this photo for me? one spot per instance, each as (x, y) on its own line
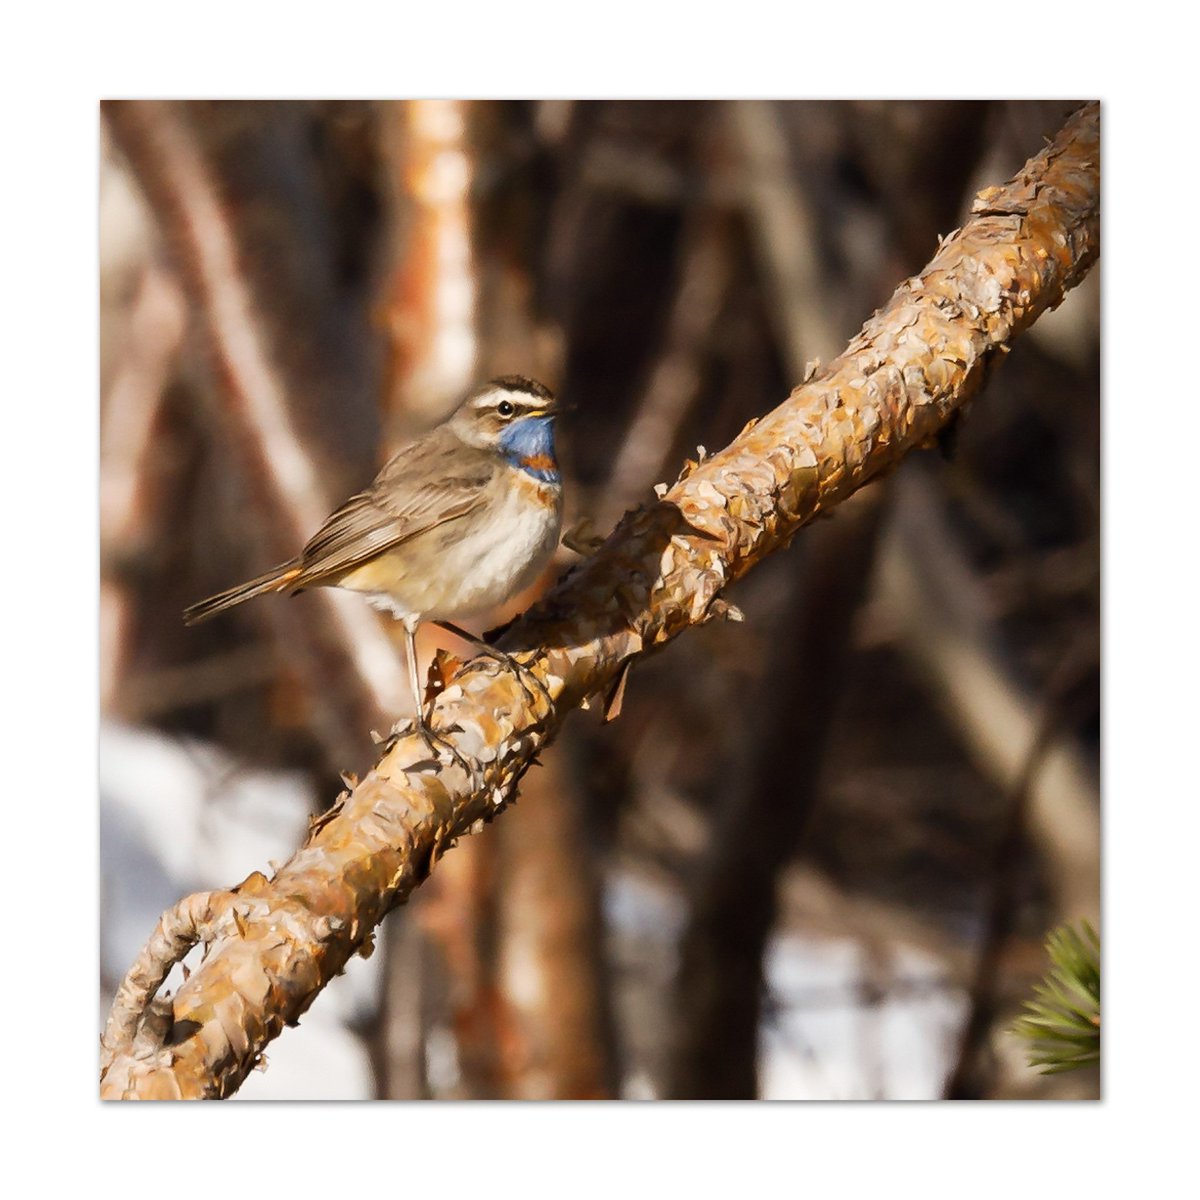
(819, 853)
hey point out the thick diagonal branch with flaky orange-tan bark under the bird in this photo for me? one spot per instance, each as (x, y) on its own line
(274, 944)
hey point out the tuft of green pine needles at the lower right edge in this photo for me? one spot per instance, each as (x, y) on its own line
(1064, 1022)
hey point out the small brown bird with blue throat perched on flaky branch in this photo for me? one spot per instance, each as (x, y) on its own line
(457, 523)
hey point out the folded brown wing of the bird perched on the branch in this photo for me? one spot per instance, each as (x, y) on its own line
(430, 483)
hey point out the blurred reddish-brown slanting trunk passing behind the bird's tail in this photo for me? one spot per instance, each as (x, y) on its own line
(346, 661)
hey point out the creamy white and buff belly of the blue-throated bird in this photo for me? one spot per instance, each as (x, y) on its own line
(470, 566)
